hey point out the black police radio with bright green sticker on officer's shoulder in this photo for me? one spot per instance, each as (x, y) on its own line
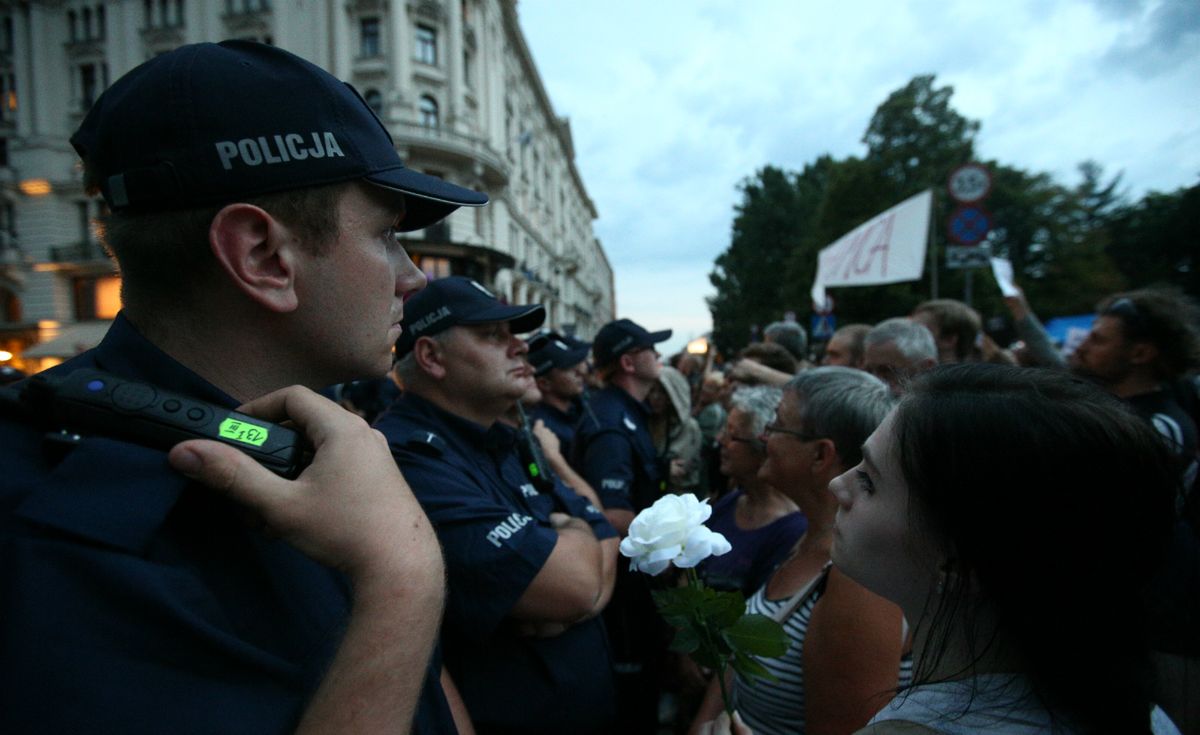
(89, 402)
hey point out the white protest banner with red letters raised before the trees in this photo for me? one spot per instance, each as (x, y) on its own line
(887, 249)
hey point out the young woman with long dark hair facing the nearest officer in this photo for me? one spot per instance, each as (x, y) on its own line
(1016, 516)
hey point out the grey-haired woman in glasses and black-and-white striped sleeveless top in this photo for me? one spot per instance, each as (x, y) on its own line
(847, 652)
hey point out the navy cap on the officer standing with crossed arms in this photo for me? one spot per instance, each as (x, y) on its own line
(455, 301)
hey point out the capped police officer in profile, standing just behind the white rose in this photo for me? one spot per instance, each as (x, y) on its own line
(615, 455)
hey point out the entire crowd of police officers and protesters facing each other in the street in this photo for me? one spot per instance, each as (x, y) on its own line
(956, 536)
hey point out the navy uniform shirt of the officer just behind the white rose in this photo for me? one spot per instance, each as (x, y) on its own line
(615, 453)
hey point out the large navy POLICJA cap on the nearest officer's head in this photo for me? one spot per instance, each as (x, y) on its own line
(212, 123)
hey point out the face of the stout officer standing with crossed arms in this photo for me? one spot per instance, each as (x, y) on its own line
(487, 364)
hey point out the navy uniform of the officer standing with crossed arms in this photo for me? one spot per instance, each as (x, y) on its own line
(496, 536)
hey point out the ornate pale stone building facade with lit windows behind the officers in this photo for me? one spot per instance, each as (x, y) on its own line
(453, 80)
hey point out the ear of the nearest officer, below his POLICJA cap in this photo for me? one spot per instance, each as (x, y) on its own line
(257, 253)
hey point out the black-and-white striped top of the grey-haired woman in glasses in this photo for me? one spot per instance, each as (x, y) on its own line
(777, 708)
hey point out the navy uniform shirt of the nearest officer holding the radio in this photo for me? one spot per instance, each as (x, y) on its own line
(133, 601)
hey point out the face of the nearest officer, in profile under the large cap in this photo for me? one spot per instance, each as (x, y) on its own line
(352, 296)
